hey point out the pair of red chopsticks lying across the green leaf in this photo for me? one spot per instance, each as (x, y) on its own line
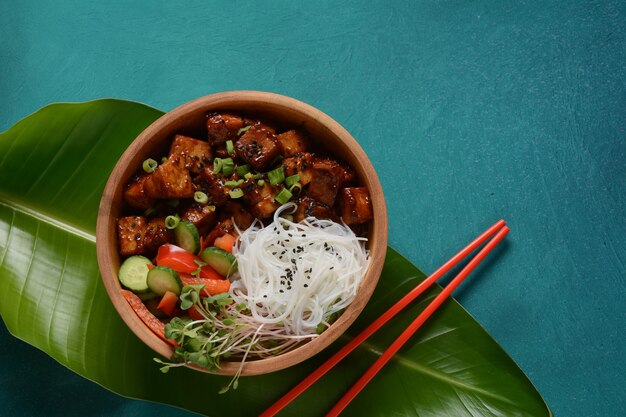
(499, 229)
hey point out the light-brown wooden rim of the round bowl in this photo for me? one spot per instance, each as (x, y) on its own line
(377, 241)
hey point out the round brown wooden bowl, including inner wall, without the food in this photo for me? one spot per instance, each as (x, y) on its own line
(190, 118)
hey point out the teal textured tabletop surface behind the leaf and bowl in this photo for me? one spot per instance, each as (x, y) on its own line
(470, 111)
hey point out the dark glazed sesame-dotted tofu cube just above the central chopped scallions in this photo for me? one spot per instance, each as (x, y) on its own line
(258, 147)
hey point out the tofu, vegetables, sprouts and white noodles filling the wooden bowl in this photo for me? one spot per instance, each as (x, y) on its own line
(244, 243)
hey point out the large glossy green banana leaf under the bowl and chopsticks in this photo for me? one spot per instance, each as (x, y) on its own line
(53, 167)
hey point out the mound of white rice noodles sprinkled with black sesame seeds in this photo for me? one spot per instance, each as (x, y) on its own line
(298, 274)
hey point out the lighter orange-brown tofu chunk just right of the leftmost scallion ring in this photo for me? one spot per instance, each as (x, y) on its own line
(170, 180)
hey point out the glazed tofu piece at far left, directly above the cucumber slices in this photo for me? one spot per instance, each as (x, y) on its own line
(139, 236)
